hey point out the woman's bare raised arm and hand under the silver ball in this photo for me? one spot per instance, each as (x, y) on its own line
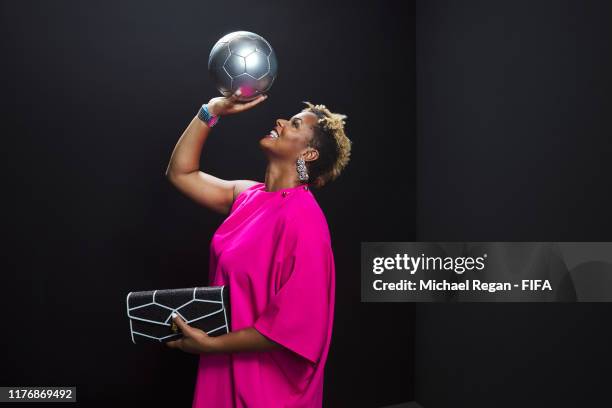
(183, 169)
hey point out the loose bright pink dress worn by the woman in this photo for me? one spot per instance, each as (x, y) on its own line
(274, 253)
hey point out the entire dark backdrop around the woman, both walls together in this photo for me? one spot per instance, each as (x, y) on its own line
(513, 144)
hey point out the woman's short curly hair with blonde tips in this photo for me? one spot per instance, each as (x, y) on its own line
(331, 142)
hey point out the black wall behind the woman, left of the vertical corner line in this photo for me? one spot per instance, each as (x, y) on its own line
(94, 98)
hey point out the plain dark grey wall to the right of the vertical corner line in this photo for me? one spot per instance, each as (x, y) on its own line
(513, 145)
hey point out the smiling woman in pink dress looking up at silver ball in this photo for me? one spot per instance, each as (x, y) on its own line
(274, 252)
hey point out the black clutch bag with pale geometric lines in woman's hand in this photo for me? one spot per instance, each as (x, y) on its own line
(149, 312)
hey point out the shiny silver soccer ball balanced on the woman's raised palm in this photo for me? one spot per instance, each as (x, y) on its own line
(242, 60)
